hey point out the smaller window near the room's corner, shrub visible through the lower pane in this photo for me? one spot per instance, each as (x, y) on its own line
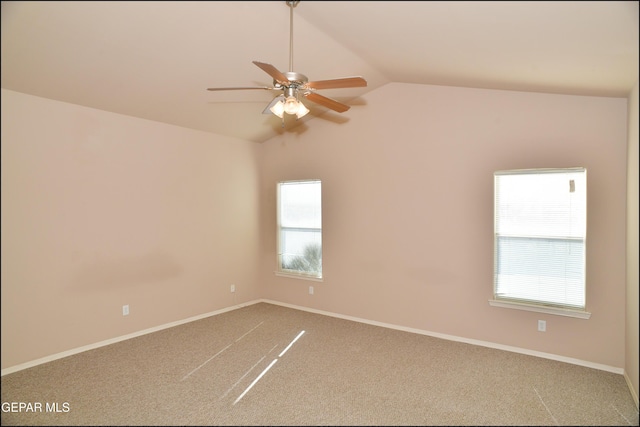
(300, 228)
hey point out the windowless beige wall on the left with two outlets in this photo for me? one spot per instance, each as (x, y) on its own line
(101, 210)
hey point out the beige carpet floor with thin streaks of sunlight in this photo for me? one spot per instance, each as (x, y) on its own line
(266, 364)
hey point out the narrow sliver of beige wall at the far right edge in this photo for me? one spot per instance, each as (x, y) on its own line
(631, 365)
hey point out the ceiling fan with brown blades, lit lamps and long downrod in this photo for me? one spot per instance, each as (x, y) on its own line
(294, 85)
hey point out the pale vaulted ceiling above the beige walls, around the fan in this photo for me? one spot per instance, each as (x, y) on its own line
(155, 59)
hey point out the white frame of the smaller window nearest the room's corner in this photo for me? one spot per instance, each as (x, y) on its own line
(286, 272)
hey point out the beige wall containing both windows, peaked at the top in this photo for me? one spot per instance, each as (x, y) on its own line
(408, 211)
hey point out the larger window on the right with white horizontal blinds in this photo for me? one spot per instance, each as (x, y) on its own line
(540, 223)
